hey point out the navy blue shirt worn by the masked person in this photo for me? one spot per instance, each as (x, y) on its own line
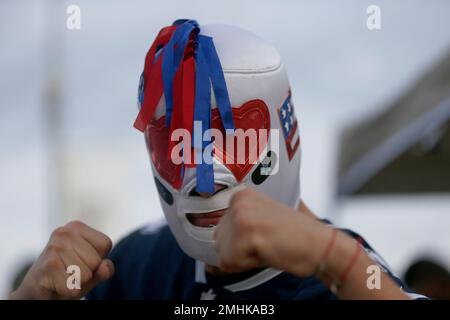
(149, 264)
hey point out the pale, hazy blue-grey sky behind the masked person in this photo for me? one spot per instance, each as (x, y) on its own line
(339, 72)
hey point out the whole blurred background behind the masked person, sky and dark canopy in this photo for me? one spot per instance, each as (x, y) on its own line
(373, 108)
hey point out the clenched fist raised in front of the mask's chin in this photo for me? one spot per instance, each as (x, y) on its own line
(257, 231)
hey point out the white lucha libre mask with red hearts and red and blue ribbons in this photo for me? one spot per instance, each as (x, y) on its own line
(225, 79)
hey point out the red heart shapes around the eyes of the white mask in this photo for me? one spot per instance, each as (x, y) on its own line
(253, 114)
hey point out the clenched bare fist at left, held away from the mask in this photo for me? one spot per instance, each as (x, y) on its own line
(74, 244)
